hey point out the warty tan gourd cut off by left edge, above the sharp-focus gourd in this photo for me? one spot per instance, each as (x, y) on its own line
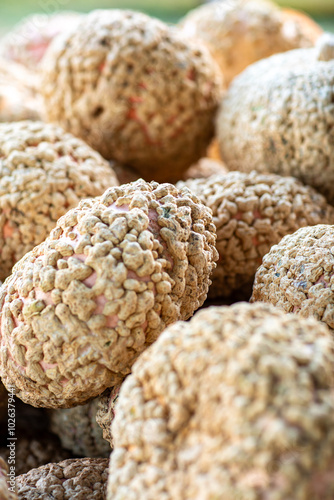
(44, 172)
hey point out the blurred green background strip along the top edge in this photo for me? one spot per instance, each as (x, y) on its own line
(11, 11)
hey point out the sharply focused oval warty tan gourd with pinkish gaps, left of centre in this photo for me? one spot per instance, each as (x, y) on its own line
(79, 309)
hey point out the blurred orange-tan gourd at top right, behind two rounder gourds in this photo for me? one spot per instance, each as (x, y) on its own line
(239, 33)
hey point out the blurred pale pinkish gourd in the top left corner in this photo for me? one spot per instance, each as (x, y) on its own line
(27, 42)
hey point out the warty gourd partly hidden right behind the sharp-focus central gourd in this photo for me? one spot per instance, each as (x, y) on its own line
(252, 212)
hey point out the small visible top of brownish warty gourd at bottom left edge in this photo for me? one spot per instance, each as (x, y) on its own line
(81, 478)
